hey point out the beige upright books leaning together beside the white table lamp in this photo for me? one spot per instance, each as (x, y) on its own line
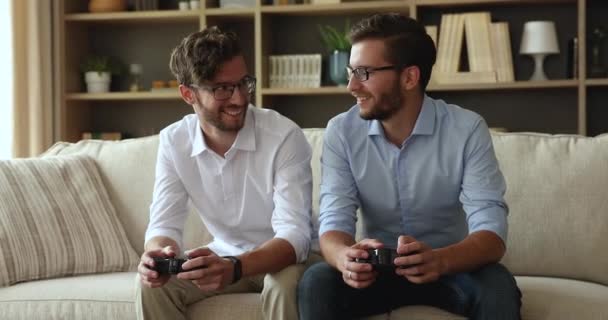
(488, 48)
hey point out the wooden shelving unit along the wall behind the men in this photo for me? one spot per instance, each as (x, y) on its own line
(149, 36)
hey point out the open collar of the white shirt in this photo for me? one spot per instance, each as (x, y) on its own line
(245, 139)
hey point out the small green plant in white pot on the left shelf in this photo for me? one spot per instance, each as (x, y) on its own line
(98, 71)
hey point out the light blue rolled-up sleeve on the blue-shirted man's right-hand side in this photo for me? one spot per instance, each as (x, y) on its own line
(483, 185)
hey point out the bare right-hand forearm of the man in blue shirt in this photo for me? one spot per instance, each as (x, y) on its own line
(476, 250)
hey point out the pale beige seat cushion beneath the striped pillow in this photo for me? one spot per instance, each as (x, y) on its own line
(99, 296)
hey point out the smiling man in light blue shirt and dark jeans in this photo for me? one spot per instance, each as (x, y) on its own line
(427, 182)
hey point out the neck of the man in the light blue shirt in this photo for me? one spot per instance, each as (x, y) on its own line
(399, 127)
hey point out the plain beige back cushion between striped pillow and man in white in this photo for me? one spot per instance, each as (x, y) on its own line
(127, 169)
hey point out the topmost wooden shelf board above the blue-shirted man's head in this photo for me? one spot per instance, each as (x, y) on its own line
(338, 8)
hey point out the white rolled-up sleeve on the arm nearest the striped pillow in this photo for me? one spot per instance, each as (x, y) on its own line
(169, 208)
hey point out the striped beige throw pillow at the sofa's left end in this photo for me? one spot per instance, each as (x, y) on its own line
(57, 220)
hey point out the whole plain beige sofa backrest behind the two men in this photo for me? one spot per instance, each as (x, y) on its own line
(556, 190)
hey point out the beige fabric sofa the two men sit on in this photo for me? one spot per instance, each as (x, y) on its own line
(557, 193)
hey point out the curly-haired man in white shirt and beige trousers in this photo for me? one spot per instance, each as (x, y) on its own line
(247, 172)
